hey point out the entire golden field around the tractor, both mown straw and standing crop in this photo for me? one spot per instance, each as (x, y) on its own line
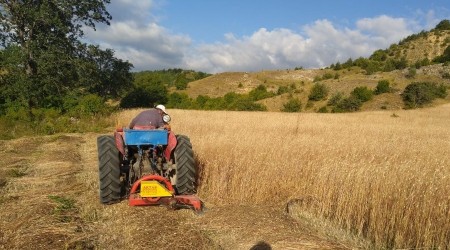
(380, 175)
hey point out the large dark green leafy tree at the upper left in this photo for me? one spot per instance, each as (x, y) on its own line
(43, 57)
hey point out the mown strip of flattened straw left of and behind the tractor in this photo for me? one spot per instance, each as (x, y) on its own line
(49, 200)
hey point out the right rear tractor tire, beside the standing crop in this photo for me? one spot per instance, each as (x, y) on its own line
(186, 169)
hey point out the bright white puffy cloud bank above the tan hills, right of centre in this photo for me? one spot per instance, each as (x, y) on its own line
(322, 45)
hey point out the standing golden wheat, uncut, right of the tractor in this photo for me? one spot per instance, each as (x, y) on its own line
(383, 176)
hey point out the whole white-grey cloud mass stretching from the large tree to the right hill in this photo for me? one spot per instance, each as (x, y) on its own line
(137, 37)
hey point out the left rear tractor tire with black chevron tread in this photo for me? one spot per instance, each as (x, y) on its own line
(109, 170)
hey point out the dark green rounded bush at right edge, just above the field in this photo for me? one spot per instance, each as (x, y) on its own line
(418, 94)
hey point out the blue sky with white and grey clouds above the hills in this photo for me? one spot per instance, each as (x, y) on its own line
(215, 36)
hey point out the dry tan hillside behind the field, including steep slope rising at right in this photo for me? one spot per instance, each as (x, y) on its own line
(394, 64)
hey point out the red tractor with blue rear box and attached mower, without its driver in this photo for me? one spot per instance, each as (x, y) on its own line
(149, 167)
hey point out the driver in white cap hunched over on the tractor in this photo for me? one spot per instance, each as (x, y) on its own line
(151, 119)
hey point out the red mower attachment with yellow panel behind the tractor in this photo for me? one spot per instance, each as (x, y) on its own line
(157, 190)
